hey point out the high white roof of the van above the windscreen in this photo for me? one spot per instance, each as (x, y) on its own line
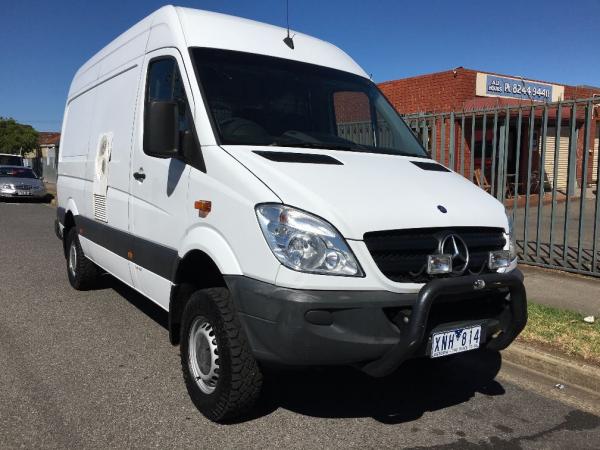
(179, 27)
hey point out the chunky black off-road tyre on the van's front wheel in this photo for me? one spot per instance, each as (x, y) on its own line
(239, 377)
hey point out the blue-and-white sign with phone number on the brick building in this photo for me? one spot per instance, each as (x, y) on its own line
(489, 85)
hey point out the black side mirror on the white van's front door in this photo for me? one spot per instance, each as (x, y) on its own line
(161, 130)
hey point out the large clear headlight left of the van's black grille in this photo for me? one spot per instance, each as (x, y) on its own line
(305, 242)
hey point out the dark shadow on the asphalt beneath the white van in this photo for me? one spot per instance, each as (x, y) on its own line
(419, 386)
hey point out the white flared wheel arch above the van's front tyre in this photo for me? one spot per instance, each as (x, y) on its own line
(211, 242)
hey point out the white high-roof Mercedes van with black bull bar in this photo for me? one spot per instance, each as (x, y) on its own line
(268, 196)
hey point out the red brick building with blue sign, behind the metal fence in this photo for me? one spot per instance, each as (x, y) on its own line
(468, 93)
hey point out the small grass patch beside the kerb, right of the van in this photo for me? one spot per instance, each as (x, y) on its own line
(564, 331)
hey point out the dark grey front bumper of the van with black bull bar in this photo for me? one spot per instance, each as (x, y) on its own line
(376, 330)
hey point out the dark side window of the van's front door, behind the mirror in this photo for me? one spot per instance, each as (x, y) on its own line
(164, 83)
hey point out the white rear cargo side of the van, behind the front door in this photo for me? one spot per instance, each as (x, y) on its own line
(102, 102)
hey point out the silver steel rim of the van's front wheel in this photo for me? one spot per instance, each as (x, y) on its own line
(203, 355)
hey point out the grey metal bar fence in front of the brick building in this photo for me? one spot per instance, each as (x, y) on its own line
(541, 161)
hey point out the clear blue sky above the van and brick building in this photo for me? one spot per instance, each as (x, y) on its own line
(44, 42)
